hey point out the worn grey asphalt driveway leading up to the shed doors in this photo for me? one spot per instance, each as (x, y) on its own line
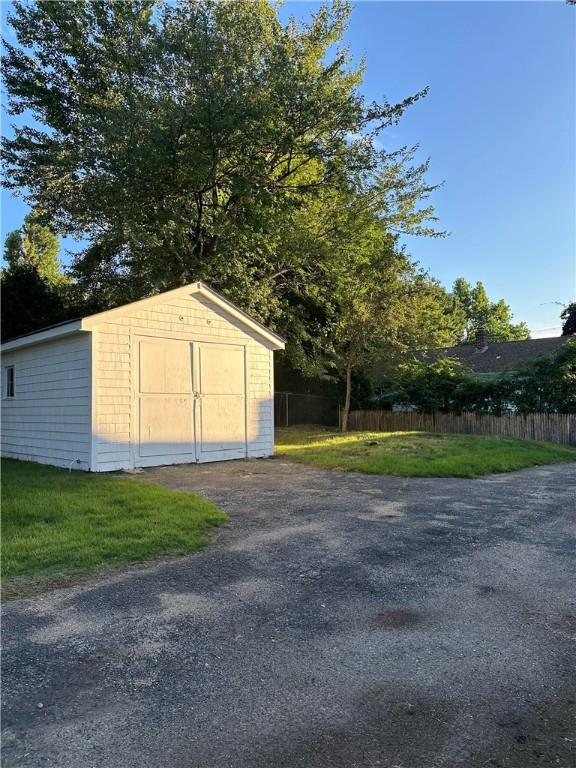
(340, 620)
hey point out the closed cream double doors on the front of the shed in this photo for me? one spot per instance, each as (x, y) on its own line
(191, 401)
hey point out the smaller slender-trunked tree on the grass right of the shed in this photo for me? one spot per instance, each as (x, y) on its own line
(372, 283)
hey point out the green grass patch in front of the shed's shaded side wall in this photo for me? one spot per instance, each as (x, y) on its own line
(57, 525)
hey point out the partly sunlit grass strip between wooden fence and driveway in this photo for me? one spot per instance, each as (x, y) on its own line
(415, 454)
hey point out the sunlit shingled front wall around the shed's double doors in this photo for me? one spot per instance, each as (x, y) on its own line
(189, 318)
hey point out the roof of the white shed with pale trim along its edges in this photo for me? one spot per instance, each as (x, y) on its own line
(87, 323)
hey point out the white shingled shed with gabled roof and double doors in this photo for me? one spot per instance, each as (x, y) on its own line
(181, 377)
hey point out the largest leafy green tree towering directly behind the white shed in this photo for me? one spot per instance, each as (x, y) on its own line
(206, 140)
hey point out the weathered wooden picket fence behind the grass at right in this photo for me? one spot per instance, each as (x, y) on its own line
(552, 427)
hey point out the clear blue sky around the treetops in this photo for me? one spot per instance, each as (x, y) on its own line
(499, 127)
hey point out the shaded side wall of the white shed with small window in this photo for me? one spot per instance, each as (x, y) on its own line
(48, 420)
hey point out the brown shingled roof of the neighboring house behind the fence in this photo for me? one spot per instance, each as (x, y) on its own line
(498, 356)
